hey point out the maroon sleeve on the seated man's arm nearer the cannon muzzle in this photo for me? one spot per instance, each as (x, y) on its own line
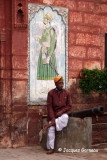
(68, 103)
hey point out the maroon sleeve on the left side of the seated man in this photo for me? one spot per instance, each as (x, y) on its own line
(51, 114)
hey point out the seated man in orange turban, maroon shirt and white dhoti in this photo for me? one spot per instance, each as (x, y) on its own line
(58, 105)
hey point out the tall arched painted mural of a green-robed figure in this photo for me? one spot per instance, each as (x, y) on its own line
(47, 49)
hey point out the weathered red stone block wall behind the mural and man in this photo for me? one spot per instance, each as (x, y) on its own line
(86, 34)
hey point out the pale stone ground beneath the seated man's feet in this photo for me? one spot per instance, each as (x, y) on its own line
(37, 153)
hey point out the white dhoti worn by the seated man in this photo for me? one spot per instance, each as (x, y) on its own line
(61, 122)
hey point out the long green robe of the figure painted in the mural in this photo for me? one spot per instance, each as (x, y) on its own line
(46, 69)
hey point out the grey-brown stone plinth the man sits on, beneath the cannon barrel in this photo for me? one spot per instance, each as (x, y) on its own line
(77, 134)
